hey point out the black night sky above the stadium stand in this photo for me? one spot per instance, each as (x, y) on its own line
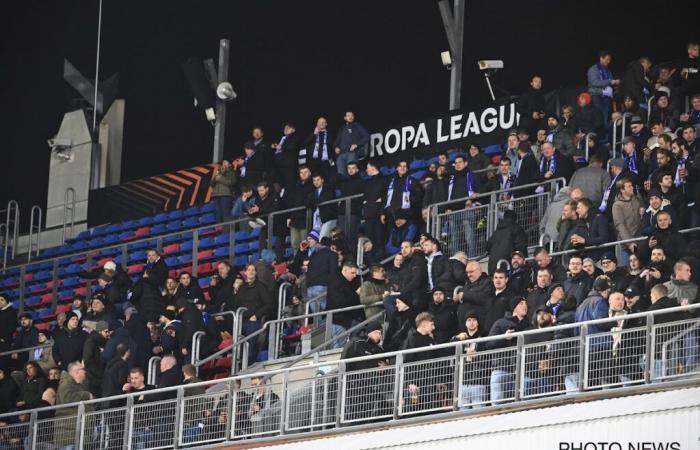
(290, 61)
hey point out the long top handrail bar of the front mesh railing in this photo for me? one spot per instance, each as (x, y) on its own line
(387, 355)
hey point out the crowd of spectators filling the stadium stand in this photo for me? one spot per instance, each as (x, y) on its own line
(102, 346)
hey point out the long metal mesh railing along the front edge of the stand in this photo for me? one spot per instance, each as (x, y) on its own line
(614, 353)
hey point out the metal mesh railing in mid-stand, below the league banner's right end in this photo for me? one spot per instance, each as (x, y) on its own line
(468, 228)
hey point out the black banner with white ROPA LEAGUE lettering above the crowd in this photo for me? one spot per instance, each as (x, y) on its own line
(457, 129)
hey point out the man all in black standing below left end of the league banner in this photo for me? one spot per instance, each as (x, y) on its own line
(374, 190)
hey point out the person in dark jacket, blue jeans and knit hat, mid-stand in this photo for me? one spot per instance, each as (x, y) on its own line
(323, 263)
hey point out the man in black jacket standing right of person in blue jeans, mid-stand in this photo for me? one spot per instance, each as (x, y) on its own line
(342, 293)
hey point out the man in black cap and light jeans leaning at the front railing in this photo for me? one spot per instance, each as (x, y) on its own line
(502, 374)
